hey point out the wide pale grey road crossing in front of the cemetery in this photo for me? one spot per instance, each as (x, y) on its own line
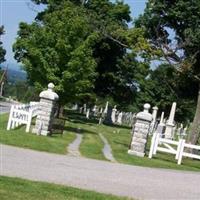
(101, 176)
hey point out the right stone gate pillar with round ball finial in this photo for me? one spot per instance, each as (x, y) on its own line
(140, 132)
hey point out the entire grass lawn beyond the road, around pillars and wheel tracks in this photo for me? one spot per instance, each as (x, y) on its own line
(118, 137)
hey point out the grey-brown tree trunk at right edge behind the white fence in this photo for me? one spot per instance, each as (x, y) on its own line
(194, 134)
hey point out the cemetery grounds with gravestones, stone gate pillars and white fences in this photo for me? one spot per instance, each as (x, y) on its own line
(127, 137)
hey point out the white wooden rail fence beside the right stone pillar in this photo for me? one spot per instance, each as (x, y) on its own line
(163, 145)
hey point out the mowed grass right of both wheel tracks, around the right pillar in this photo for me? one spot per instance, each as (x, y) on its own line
(119, 140)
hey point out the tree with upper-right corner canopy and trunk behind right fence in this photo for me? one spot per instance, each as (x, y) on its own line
(161, 20)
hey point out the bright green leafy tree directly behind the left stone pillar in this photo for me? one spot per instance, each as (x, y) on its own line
(59, 49)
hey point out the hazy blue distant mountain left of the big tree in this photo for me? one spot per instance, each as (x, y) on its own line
(15, 72)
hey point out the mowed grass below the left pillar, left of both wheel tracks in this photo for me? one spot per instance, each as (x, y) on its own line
(18, 137)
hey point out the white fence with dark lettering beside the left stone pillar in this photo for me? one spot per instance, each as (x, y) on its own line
(22, 114)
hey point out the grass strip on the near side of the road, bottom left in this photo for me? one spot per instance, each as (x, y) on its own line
(20, 189)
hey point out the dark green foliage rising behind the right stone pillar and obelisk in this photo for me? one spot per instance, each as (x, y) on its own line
(164, 86)
